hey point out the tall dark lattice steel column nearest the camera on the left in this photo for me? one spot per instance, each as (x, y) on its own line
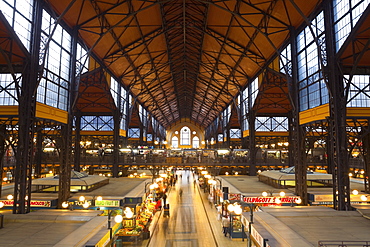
(26, 114)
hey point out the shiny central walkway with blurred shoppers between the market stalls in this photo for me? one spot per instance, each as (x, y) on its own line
(192, 221)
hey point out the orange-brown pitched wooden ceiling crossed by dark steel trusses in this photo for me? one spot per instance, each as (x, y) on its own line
(185, 59)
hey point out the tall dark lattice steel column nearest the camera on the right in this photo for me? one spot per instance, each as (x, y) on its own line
(337, 123)
